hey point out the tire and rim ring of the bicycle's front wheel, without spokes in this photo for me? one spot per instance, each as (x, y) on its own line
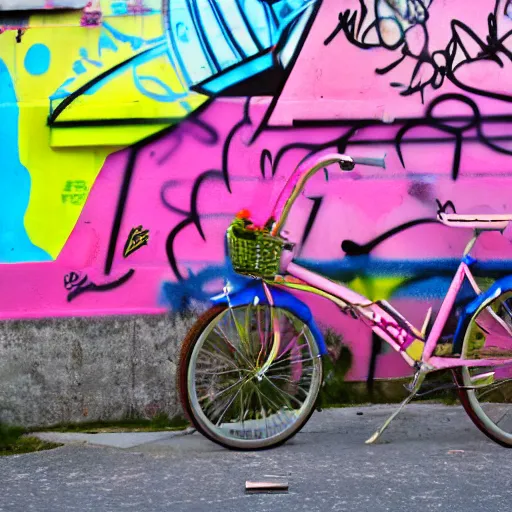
(197, 334)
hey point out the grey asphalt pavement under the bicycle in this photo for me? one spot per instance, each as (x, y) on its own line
(431, 458)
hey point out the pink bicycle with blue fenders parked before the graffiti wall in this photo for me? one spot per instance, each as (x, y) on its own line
(251, 367)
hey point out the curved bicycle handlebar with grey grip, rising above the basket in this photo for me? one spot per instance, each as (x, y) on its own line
(299, 179)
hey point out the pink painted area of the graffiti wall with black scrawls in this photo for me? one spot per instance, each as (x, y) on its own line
(185, 185)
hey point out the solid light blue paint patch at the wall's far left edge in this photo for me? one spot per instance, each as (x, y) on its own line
(15, 245)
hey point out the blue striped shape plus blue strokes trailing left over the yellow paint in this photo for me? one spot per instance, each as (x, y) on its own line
(212, 48)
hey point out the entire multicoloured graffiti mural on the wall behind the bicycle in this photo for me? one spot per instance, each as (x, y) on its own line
(130, 143)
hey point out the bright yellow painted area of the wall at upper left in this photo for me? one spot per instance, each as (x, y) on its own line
(64, 154)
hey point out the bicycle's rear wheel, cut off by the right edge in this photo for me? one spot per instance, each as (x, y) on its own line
(486, 392)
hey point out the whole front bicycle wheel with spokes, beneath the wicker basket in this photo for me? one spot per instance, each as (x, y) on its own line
(242, 386)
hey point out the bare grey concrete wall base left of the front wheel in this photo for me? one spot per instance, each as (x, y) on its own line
(81, 369)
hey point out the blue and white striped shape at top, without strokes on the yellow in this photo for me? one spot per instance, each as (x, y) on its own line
(227, 41)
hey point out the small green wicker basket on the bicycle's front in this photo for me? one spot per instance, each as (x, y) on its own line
(254, 253)
